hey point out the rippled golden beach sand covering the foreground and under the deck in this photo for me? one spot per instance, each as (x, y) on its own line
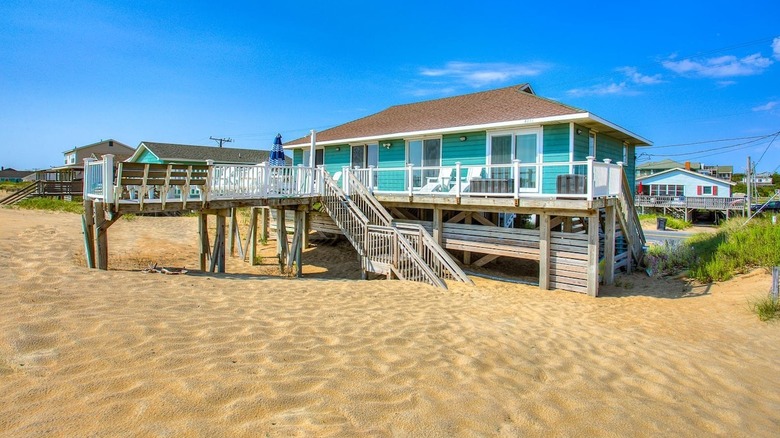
(90, 353)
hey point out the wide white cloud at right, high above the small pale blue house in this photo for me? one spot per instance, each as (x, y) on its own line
(721, 66)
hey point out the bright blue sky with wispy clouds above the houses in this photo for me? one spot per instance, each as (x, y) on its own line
(702, 83)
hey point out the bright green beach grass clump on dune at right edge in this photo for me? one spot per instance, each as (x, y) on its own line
(736, 249)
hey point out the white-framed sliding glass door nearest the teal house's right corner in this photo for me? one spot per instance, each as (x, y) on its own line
(506, 146)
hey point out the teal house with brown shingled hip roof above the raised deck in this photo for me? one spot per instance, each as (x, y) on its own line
(489, 128)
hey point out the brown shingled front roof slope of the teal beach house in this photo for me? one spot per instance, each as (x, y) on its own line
(492, 106)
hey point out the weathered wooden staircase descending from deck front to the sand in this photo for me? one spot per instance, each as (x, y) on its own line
(406, 251)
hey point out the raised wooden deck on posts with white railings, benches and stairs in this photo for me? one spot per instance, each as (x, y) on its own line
(574, 224)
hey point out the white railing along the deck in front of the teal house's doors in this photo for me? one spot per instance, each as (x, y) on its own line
(577, 179)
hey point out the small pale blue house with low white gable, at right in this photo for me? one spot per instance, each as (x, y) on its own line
(684, 183)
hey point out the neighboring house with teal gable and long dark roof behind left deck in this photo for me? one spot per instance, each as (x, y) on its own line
(166, 153)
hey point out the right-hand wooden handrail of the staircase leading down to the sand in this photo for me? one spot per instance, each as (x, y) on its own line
(445, 265)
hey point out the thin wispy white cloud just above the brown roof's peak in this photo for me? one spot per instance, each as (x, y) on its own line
(478, 75)
